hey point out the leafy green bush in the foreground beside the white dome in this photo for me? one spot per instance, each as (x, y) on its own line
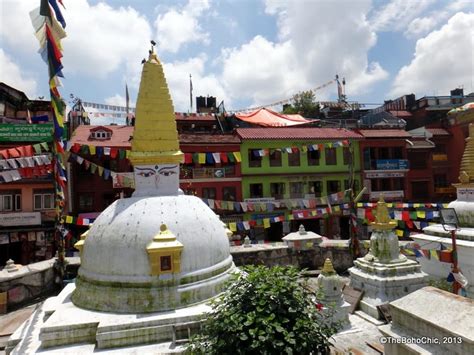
(265, 311)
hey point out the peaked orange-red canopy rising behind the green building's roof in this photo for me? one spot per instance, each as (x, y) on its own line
(268, 118)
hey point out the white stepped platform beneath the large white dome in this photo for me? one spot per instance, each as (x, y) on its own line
(61, 327)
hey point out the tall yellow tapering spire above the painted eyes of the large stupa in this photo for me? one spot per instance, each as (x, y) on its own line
(155, 138)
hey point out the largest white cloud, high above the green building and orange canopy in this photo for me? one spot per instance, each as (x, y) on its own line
(316, 40)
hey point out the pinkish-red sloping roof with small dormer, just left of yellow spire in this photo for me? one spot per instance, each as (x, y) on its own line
(120, 136)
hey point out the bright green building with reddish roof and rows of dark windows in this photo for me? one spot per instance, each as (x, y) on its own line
(295, 165)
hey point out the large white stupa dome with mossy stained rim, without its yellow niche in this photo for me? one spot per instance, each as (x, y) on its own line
(115, 267)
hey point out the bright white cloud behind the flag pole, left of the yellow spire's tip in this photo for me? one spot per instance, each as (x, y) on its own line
(100, 39)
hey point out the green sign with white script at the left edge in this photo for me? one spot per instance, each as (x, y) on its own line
(26, 132)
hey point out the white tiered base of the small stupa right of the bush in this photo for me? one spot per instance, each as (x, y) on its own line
(385, 282)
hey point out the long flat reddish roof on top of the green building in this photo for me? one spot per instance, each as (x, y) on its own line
(297, 133)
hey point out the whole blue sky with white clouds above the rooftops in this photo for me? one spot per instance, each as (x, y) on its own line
(248, 52)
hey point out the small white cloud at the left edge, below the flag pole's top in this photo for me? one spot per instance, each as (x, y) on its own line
(13, 76)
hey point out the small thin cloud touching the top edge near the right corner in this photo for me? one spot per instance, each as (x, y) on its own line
(397, 14)
